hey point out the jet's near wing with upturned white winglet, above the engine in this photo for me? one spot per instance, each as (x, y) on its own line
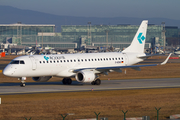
(116, 68)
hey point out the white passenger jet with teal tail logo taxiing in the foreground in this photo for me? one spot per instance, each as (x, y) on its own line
(85, 67)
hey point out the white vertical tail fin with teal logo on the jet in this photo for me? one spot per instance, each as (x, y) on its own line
(137, 45)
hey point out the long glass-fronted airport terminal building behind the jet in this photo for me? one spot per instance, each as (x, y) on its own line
(77, 36)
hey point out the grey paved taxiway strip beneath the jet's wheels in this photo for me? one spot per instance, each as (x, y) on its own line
(50, 87)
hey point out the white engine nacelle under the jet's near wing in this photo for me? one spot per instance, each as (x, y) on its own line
(85, 76)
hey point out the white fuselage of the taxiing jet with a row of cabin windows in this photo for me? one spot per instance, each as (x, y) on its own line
(62, 65)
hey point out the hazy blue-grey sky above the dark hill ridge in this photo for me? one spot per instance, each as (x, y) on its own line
(102, 8)
